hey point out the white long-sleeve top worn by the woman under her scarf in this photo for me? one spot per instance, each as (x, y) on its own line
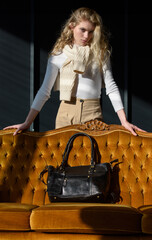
(89, 84)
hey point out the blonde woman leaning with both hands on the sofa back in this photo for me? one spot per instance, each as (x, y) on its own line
(77, 66)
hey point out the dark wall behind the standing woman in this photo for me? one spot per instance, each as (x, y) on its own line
(28, 30)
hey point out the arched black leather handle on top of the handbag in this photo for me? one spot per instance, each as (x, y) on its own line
(68, 146)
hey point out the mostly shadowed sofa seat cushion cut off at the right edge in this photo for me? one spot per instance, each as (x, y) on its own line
(146, 222)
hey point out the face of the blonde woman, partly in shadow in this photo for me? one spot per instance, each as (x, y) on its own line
(83, 33)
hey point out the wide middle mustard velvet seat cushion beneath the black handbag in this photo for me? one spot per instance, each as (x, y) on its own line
(86, 218)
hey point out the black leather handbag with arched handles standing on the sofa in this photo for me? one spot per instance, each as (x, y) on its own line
(89, 183)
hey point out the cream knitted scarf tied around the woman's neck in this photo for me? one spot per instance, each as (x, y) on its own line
(76, 62)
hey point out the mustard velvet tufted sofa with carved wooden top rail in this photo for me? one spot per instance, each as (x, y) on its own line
(25, 210)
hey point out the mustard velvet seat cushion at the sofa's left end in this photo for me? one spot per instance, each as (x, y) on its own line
(15, 216)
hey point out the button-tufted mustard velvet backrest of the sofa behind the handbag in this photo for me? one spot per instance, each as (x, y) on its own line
(24, 156)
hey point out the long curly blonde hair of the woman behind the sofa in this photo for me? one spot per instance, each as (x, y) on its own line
(99, 45)
